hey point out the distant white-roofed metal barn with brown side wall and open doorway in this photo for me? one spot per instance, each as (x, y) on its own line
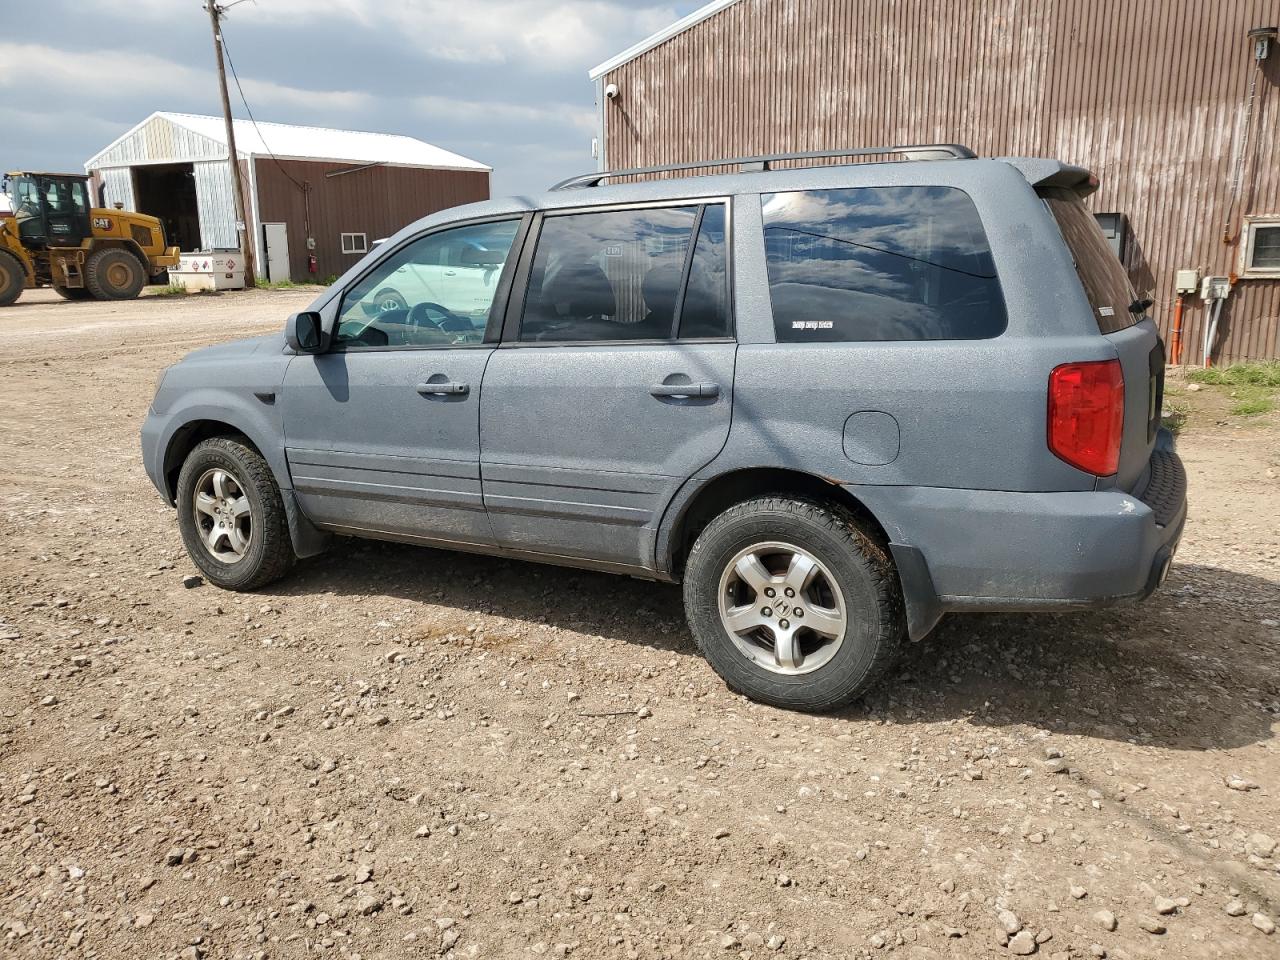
(316, 198)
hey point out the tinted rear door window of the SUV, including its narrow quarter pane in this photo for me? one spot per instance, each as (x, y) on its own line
(619, 276)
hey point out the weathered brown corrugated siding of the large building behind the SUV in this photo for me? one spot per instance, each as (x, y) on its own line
(1148, 94)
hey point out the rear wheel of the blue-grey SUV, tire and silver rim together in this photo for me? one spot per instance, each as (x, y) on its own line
(794, 604)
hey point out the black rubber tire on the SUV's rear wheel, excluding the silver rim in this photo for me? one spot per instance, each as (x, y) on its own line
(862, 569)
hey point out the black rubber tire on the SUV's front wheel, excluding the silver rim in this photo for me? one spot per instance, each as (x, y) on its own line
(269, 554)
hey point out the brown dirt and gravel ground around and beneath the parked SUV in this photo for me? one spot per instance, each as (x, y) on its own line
(404, 753)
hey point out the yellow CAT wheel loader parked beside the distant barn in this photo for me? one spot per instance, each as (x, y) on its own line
(51, 236)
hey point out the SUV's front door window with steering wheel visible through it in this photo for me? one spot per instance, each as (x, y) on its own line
(436, 291)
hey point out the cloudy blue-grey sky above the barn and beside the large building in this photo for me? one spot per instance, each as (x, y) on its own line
(500, 81)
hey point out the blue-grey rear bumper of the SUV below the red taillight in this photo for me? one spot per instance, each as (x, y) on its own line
(999, 551)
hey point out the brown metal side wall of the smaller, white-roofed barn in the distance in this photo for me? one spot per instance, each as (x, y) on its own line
(377, 202)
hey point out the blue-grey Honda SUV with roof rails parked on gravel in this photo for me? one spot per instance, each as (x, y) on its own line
(835, 401)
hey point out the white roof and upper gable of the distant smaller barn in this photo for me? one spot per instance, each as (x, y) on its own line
(166, 138)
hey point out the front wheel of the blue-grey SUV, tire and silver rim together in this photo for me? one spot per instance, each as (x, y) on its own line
(232, 516)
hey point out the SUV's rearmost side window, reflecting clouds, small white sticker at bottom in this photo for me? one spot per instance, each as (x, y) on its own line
(880, 264)
